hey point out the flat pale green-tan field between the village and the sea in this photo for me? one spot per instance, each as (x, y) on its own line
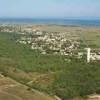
(90, 34)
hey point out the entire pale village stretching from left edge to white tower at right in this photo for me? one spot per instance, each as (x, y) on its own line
(56, 43)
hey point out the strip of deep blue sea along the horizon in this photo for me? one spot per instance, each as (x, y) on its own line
(50, 21)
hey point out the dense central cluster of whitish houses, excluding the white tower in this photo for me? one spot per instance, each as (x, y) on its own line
(50, 42)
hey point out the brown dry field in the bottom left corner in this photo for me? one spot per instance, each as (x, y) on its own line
(11, 90)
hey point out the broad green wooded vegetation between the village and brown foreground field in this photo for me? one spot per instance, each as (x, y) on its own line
(48, 73)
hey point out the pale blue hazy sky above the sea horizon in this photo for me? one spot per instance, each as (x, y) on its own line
(50, 8)
